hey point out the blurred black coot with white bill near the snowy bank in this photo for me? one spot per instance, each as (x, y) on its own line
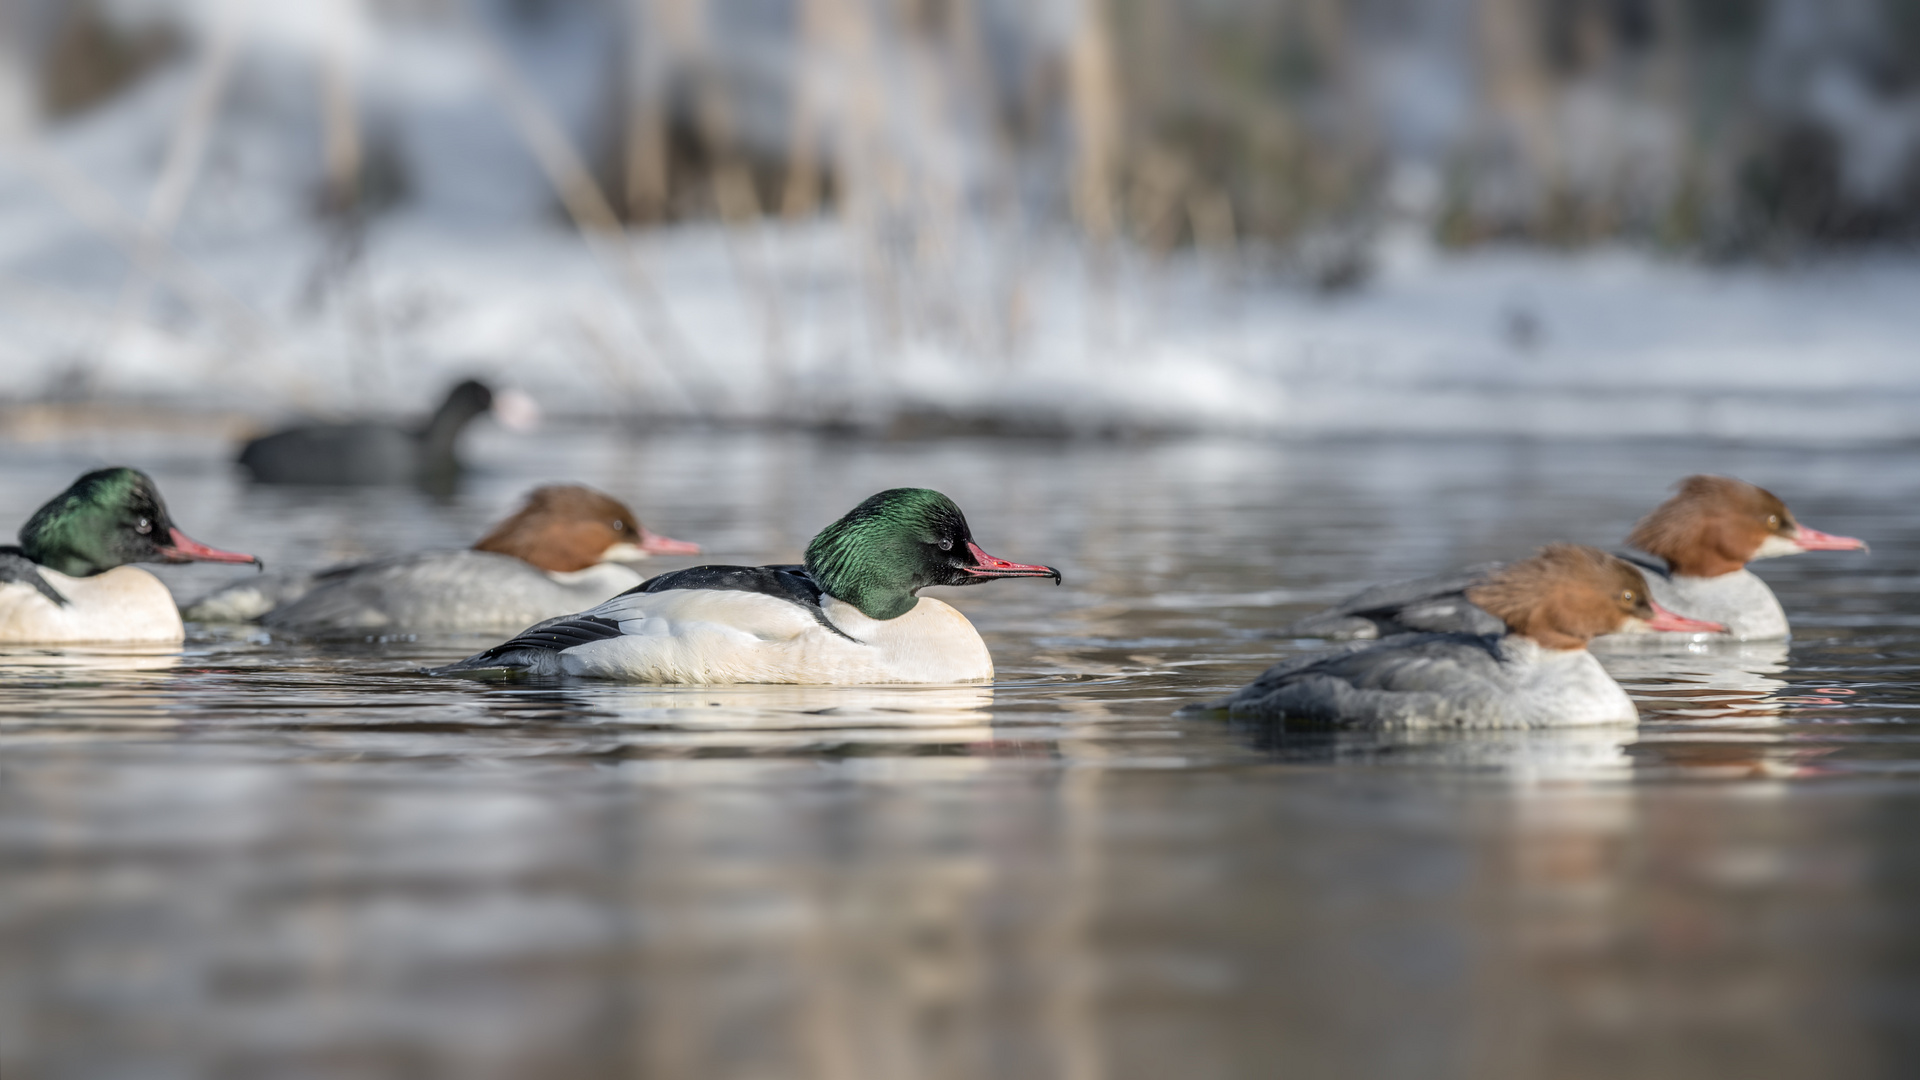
(381, 453)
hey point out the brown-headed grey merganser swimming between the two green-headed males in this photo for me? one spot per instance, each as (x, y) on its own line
(558, 554)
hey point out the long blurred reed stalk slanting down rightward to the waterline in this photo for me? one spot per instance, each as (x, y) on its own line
(598, 224)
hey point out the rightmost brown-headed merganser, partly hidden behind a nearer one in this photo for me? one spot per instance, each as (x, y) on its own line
(1694, 551)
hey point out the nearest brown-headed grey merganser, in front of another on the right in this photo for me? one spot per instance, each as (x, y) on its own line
(1535, 674)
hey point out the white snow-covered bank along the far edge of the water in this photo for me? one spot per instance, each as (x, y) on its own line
(863, 320)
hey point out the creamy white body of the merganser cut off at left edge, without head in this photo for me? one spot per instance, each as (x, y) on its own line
(124, 604)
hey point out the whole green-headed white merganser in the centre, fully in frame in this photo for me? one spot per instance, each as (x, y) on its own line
(848, 616)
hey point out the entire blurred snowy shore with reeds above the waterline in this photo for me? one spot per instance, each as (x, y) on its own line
(1460, 216)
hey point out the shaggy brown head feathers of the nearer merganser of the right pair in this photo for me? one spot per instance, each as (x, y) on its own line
(1566, 597)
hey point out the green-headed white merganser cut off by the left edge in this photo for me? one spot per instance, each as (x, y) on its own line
(68, 579)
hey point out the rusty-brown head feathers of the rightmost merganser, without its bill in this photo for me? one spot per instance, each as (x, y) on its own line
(1714, 526)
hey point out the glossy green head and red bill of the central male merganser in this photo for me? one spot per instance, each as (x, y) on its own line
(900, 543)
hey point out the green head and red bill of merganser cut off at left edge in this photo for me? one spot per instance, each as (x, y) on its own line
(107, 520)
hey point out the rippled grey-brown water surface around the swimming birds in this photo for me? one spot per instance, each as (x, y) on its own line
(268, 858)
